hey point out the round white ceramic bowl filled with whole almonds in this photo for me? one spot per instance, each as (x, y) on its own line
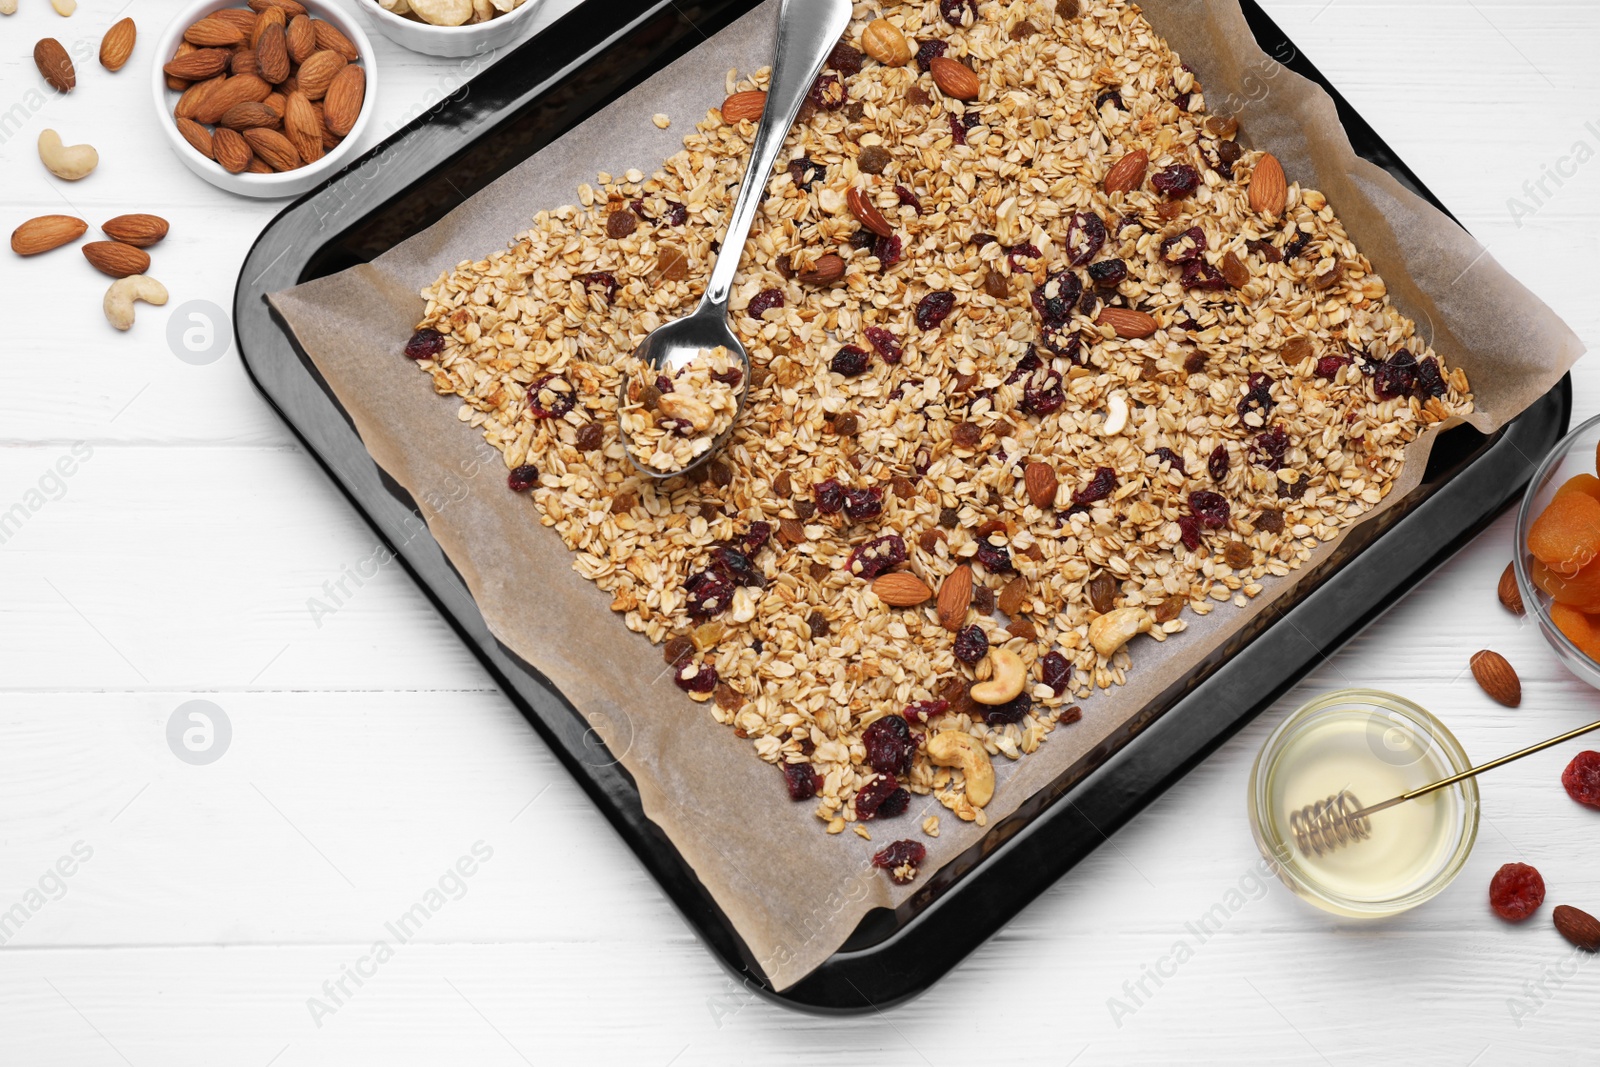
(281, 185)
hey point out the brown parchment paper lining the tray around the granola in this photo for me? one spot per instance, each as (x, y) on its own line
(793, 892)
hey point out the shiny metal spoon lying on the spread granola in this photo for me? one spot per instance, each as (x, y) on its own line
(807, 33)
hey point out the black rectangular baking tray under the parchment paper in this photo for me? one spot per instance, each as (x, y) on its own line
(554, 82)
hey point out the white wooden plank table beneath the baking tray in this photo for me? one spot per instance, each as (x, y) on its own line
(209, 905)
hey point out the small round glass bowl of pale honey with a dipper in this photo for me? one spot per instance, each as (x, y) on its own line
(1377, 746)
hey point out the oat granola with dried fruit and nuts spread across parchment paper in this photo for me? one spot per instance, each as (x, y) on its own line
(1044, 359)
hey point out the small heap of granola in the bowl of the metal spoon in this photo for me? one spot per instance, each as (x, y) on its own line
(673, 420)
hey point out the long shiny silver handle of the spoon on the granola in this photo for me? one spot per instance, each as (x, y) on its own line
(807, 33)
